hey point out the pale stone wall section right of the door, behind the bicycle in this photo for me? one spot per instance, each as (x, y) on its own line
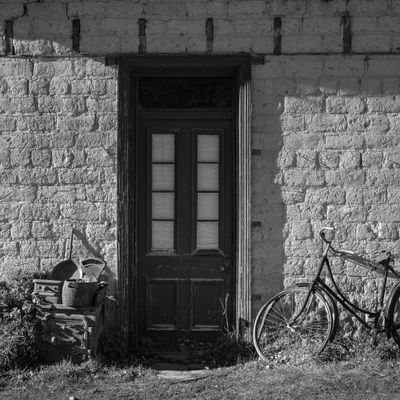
(326, 152)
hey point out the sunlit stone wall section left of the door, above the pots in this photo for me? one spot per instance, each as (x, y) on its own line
(58, 141)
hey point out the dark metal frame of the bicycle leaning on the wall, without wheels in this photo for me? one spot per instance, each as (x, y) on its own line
(338, 295)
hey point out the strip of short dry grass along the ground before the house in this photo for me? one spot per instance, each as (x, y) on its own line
(369, 373)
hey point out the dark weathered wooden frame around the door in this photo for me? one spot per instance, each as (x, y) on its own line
(237, 66)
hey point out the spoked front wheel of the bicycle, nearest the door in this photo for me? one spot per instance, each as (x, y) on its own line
(281, 334)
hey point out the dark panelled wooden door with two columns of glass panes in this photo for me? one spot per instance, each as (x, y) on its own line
(185, 225)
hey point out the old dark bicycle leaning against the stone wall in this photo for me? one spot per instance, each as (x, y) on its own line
(301, 320)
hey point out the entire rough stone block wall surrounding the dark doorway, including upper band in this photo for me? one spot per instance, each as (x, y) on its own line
(325, 123)
